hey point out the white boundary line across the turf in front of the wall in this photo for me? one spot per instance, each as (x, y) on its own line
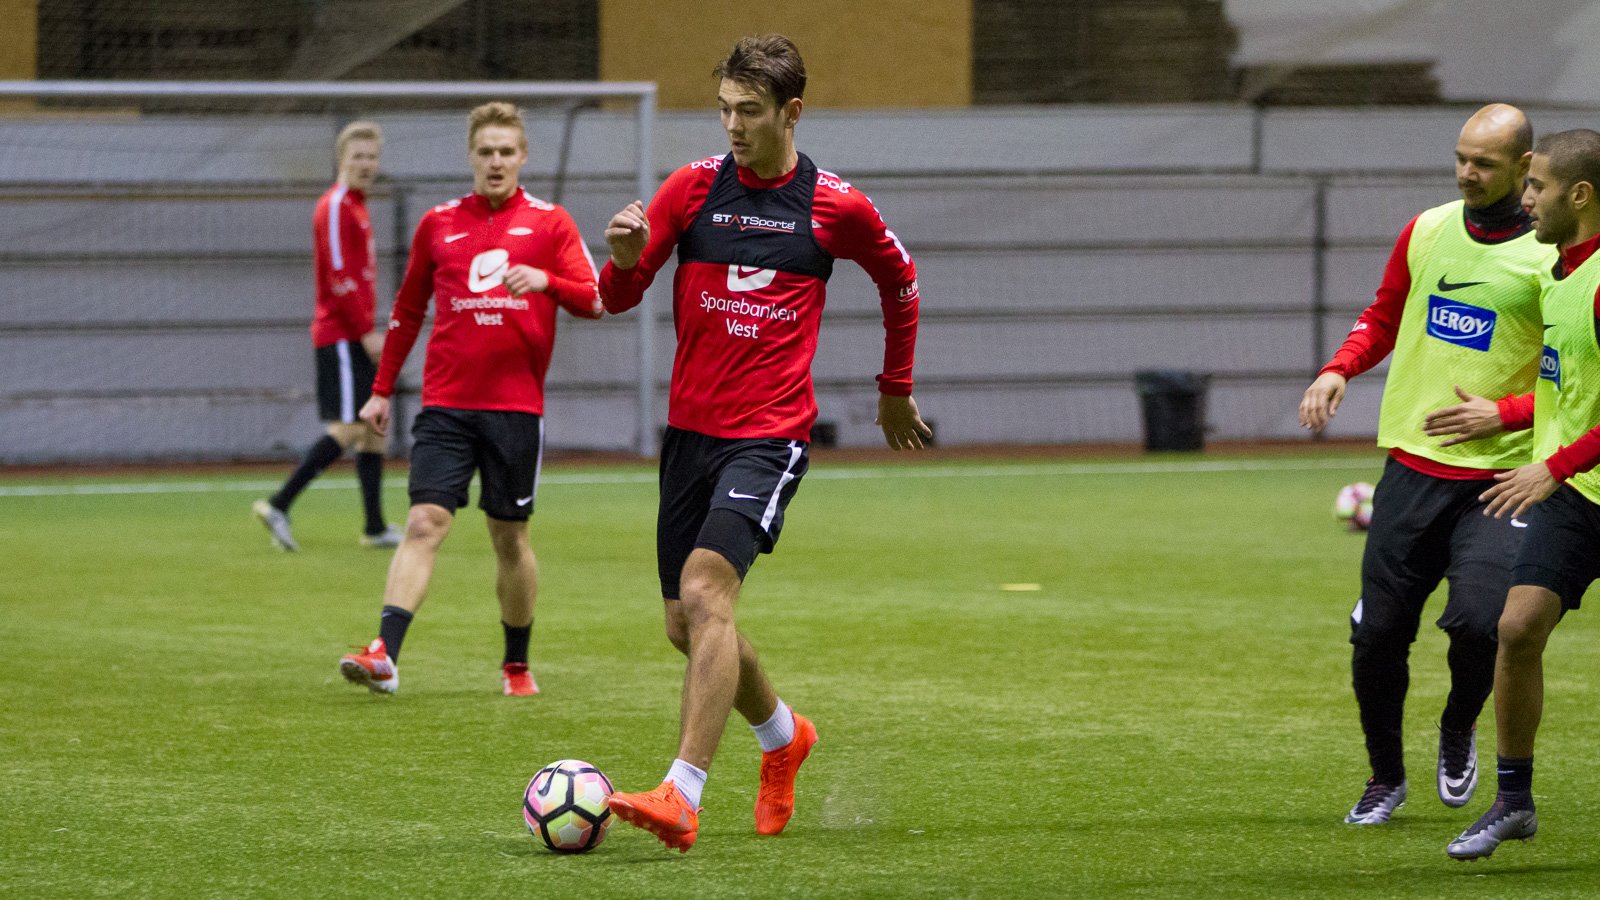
(990, 472)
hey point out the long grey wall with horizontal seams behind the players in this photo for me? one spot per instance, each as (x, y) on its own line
(161, 313)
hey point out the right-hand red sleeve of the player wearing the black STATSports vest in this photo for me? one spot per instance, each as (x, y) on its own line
(863, 236)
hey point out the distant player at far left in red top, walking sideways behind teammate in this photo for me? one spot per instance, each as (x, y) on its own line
(345, 340)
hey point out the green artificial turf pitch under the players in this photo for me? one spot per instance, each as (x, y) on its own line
(1169, 715)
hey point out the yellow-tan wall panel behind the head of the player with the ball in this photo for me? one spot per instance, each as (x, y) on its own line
(858, 54)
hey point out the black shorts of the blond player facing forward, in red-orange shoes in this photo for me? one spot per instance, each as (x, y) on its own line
(505, 448)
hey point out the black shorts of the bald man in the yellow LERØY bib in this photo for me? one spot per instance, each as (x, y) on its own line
(1428, 529)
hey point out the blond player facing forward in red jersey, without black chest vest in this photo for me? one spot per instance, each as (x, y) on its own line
(498, 263)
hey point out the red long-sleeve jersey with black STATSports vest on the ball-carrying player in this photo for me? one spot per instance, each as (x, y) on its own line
(750, 291)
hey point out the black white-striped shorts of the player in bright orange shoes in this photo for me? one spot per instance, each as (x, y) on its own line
(722, 494)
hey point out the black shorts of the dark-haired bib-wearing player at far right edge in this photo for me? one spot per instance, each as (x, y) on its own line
(1562, 552)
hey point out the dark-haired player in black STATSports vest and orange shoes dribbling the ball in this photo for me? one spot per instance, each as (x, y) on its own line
(756, 235)
